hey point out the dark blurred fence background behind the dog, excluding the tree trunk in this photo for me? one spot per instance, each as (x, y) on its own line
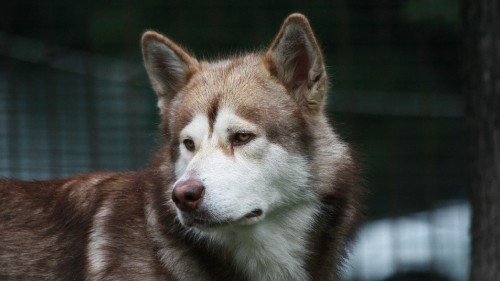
(74, 97)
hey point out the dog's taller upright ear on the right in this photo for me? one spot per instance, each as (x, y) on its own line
(296, 59)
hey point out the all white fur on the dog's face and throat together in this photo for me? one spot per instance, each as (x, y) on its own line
(259, 175)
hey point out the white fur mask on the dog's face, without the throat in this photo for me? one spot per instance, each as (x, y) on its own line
(258, 175)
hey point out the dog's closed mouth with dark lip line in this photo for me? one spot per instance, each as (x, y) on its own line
(205, 221)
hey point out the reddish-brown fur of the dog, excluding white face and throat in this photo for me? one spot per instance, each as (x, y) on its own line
(123, 226)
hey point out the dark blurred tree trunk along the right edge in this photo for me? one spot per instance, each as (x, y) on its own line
(482, 88)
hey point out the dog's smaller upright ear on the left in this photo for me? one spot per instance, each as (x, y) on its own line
(168, 66)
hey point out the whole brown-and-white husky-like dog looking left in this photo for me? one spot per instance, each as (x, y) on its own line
(251, 181)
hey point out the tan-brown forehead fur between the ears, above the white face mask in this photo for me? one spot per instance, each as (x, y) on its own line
(245, 87)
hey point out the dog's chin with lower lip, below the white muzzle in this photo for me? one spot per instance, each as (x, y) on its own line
(204, 221)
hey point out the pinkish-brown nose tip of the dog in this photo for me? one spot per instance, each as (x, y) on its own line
(187, 195)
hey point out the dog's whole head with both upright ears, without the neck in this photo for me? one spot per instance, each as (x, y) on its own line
(239, 130)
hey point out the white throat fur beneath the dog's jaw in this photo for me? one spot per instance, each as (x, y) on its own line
(273, 249)
